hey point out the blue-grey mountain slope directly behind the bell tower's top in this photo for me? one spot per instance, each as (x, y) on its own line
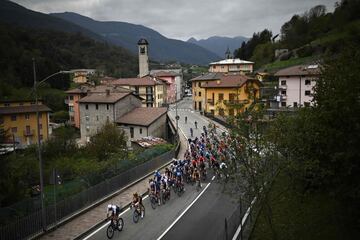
(127, 34)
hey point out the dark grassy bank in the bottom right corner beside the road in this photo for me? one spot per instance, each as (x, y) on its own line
(309, 216)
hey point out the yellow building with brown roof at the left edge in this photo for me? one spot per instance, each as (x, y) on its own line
(19, 119)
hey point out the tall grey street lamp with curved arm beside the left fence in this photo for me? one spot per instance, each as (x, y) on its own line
(36, 84)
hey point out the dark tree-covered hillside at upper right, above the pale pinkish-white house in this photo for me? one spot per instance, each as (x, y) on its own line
(307, 36)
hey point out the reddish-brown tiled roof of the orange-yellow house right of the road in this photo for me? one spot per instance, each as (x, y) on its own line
(229, 81)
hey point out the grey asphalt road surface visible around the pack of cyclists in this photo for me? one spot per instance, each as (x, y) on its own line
(194, 215)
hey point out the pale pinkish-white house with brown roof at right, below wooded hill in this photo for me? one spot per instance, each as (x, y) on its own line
(296, 85)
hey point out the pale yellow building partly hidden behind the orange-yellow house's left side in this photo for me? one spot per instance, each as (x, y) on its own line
(199, 92)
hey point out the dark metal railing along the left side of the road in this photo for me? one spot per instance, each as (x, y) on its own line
(31, 225)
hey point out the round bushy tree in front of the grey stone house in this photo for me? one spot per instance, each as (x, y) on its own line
(110, 139)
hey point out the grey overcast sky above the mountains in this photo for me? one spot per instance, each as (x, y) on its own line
(182, 19)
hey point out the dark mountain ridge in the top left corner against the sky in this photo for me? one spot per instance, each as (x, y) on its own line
(15, 14)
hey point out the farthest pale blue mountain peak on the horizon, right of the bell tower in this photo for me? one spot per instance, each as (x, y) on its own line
(218, 45)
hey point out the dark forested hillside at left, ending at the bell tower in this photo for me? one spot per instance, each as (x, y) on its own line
(54, 51)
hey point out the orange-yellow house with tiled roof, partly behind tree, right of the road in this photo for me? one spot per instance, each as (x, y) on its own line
(230, 95)
